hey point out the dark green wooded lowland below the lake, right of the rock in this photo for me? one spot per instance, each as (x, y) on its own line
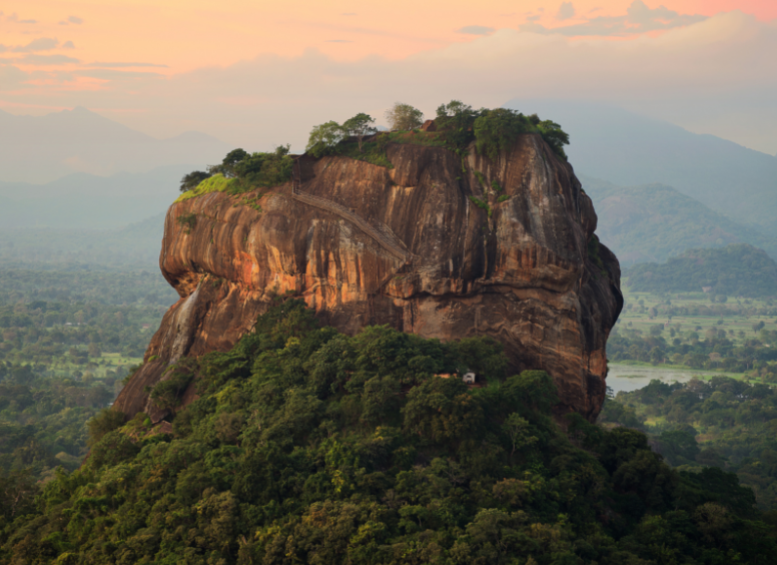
(698, 425)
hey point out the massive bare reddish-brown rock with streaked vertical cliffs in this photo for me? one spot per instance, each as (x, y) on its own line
(439, 246)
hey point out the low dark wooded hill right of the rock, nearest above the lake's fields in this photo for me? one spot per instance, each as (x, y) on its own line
(734, 270)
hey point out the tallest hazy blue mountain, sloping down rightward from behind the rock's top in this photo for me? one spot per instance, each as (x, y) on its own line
(627, 149)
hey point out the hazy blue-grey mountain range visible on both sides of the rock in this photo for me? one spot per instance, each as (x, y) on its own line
(658, 189)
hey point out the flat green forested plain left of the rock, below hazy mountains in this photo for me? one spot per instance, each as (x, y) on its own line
(67, 339)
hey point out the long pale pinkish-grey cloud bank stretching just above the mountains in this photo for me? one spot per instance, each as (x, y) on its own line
(273, 99)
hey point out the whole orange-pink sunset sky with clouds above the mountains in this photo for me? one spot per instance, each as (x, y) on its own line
(260, 74)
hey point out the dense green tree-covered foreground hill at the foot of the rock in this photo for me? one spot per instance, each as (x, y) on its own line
(309, 446)
